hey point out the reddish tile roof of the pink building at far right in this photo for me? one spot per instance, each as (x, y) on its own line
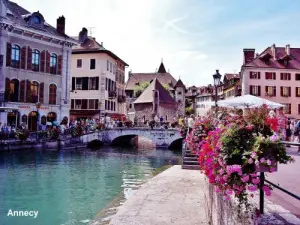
(280, 53)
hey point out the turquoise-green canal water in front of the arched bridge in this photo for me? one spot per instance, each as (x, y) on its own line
(71, 188)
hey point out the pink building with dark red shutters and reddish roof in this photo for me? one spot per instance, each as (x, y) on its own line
(274, 74)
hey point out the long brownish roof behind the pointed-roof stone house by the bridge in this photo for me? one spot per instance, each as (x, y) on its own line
(163, 78)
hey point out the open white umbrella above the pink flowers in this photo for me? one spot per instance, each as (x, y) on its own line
(249, 101)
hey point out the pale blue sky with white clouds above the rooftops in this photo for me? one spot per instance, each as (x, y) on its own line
(192, 37)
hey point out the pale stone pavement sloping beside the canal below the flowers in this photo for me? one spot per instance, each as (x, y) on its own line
(173, 197)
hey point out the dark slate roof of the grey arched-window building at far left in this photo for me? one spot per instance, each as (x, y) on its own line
(21, 16)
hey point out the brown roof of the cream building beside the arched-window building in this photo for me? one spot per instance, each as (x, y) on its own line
(90, 45)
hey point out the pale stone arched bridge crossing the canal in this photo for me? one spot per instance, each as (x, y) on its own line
(159, 137)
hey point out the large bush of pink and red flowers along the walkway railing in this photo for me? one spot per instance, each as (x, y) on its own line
(233, 148)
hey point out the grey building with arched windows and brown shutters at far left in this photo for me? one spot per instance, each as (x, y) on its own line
(34, 67)
